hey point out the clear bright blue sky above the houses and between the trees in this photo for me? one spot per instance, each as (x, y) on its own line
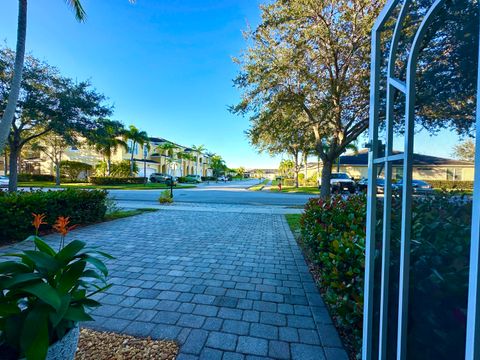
(164, 64)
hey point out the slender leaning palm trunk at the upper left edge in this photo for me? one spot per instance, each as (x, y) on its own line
(8, 115)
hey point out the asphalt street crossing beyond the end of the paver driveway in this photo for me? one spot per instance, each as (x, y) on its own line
(235, 192)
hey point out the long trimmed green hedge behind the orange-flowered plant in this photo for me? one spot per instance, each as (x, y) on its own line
(82, 206)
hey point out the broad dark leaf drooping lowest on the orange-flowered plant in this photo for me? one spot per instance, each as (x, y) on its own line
(34, 340)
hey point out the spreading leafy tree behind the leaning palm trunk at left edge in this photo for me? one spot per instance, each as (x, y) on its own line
(47, 103)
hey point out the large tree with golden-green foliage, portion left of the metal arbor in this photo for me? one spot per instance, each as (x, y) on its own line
(312, 56)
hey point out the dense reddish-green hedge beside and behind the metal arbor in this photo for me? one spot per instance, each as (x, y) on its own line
(333, 236)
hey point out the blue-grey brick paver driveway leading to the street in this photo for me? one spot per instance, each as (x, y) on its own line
(225, 285)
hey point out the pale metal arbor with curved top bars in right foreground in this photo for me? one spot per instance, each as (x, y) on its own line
(379, 158)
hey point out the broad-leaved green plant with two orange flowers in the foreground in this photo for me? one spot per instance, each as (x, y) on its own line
(45, 293)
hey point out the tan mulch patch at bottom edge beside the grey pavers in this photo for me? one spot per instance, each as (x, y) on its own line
(110, 346)
